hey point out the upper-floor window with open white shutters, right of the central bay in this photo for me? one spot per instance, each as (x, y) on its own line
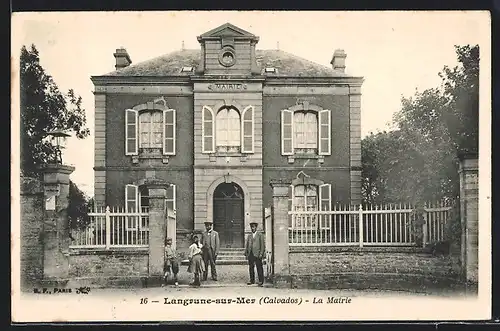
(305, 132)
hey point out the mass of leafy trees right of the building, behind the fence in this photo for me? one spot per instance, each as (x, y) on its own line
(418, 161)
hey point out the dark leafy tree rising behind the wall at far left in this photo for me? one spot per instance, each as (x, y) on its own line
(43, 109)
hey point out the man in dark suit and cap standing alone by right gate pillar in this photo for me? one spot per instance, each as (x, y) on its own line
(255, 250)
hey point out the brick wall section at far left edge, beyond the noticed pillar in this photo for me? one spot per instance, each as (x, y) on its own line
(32, 213)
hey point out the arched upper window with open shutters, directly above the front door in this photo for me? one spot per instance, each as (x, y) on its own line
(228, 130)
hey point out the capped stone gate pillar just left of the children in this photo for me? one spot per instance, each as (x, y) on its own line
(157, 189)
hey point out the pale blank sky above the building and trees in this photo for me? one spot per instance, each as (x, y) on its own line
(395, 52)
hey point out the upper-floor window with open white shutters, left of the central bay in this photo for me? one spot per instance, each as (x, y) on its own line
(150, 129)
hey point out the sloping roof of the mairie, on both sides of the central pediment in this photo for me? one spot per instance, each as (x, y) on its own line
(287, 65)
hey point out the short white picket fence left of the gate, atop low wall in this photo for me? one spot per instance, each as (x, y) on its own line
(113, 227)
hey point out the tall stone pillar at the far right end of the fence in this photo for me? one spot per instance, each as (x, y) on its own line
(469, 203)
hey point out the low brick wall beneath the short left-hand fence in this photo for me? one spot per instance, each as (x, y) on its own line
(108, 268)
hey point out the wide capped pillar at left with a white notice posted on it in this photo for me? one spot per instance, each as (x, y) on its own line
(56, 226)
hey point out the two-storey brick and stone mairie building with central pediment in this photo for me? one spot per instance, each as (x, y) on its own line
(219, 123)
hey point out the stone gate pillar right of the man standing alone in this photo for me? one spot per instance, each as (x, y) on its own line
(279, 212)
